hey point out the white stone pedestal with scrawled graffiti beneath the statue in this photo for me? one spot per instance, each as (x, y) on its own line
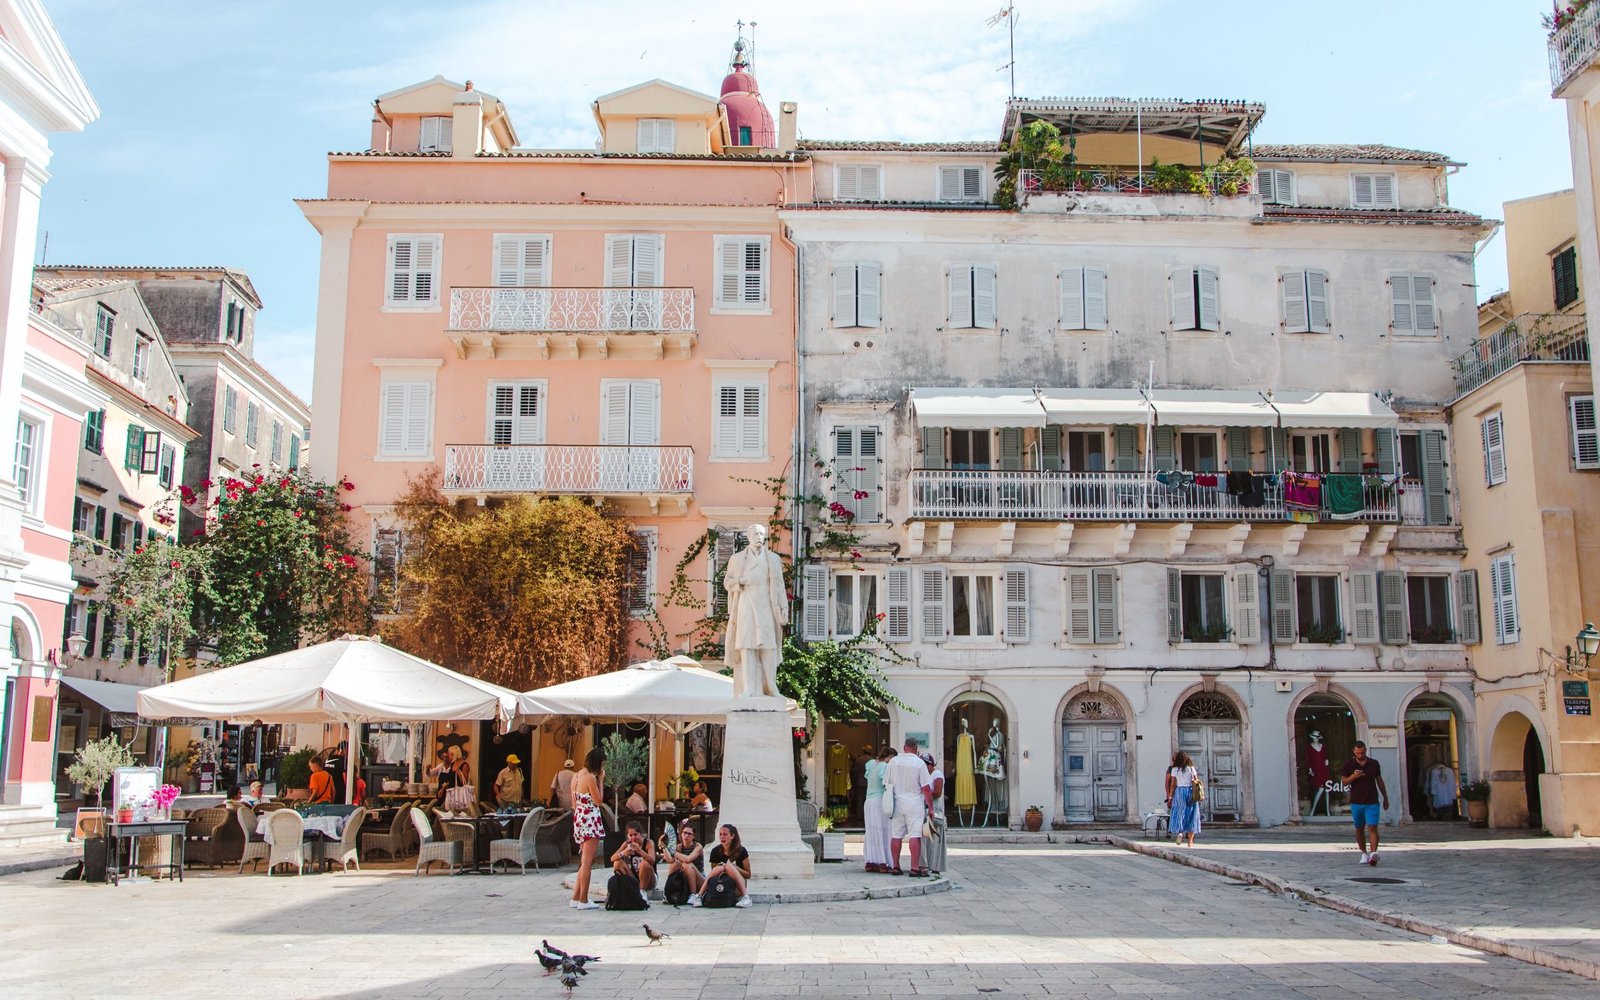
(759, 790)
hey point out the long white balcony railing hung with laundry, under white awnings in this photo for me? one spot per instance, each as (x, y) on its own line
(956, 495)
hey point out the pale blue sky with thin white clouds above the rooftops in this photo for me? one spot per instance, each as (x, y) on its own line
(217, 116)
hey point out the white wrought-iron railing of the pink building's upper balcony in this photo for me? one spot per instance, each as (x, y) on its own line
(572, 310)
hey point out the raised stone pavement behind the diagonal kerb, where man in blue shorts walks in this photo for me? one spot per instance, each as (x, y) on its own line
(1529, 897)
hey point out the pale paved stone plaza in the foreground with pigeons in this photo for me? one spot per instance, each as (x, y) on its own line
(1076, 921)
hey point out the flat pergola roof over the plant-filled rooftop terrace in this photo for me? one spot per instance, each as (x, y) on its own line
(1222, 124)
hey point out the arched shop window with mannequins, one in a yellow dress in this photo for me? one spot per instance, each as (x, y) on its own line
(977, 762)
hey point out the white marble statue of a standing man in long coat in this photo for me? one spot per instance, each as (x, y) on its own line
(758, 612)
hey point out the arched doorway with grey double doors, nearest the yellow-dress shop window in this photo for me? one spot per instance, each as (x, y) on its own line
(1094, 761)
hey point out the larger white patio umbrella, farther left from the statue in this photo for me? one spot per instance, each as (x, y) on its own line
(348, 681)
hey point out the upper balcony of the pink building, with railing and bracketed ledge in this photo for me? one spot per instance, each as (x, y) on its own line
(572, 324)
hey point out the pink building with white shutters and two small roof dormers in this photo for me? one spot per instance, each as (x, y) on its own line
(615, 322)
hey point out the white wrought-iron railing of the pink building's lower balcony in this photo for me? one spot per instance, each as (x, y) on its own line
(569, 470)
